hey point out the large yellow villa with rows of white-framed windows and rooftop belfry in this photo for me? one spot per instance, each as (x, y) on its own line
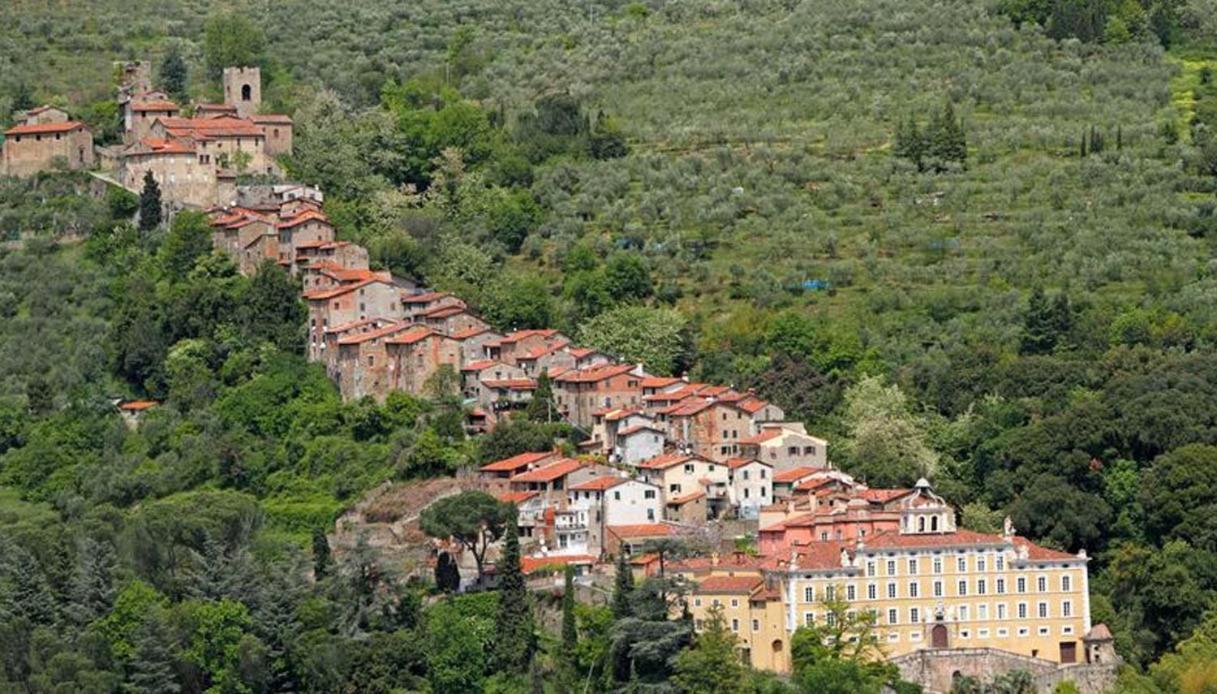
(929, 585)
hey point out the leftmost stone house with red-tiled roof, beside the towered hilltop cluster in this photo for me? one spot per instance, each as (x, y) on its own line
(43, 147)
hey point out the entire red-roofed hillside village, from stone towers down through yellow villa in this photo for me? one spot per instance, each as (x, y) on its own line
(661, 458)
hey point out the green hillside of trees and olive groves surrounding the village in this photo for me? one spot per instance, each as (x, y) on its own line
(967, 240)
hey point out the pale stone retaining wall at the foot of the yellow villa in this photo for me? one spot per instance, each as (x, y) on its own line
(936, 669)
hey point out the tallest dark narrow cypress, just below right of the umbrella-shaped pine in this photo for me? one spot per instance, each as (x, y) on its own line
(514, 624)
